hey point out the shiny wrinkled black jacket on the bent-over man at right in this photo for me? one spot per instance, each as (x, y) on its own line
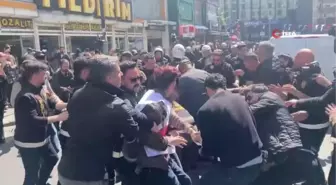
(276, 127)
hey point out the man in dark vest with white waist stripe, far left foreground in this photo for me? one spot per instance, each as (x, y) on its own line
(31, 135)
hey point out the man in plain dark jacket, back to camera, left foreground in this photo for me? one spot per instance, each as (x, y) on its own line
(93, 134)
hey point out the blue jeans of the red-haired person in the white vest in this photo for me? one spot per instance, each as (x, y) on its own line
(174, 176)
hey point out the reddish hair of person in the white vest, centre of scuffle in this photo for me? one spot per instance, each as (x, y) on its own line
(164, 76)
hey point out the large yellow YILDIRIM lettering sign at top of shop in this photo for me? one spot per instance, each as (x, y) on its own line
(113, 9)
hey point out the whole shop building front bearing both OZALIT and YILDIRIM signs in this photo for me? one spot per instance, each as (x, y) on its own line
(48, 24)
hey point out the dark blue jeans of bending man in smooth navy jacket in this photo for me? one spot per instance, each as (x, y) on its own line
(218, 175)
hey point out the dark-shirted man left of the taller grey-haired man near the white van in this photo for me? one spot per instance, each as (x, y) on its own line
(218, 65)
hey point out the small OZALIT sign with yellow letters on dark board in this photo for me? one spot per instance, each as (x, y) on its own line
(9, 22)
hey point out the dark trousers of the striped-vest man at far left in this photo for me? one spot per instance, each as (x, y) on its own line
(38, 164)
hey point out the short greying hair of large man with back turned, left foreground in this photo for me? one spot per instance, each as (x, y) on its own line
(100, 68)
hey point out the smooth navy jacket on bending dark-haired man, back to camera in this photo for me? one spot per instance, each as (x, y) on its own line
(227, 129)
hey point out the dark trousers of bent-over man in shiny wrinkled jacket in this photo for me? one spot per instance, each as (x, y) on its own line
(301, 165)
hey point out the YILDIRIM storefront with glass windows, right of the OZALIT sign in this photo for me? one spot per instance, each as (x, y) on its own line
(79, 26)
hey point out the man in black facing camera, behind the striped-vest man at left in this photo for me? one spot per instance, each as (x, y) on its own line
(62, 80)
